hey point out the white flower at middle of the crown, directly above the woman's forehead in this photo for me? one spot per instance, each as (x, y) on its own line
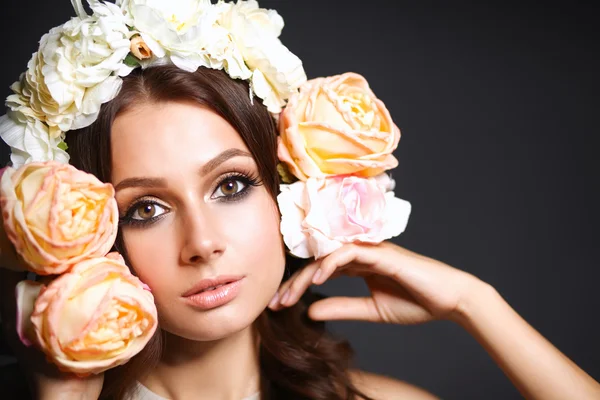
(181, 30)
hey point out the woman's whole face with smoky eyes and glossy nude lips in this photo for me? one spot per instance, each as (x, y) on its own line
(195, 215)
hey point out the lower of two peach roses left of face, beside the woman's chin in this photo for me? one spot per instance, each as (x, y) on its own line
(90, 319)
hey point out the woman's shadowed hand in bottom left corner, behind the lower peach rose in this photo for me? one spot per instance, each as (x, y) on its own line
(45, 379)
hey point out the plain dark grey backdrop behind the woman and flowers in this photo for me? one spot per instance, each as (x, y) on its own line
(497, 104)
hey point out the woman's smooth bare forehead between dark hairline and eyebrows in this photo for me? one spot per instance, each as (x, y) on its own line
(159, 138)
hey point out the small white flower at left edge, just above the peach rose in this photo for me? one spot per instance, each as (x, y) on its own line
(29, 140)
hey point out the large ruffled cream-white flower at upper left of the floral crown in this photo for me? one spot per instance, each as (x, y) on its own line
(75, 70)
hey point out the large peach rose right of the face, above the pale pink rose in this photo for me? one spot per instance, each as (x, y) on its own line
(336, 126)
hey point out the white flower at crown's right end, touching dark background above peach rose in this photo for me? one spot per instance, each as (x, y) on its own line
(277, 73)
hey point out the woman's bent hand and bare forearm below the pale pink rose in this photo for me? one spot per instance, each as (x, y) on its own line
(408, 288)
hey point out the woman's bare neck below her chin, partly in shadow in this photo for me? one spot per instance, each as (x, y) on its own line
(226, 369)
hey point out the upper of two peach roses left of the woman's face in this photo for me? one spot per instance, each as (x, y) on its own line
(56, 215)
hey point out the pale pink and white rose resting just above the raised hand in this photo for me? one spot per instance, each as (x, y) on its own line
(320, 215)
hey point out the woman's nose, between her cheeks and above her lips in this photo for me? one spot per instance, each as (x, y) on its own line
(202, 240)
